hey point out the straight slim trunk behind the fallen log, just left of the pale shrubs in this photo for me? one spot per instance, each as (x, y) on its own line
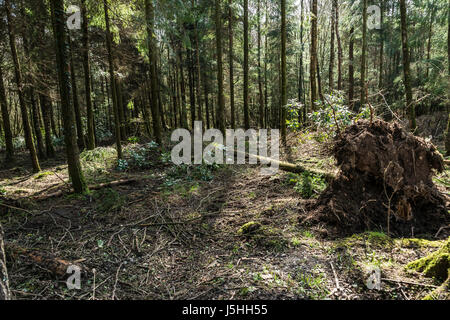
(283, 72)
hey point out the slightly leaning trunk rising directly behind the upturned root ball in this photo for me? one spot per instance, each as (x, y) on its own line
(406, 67)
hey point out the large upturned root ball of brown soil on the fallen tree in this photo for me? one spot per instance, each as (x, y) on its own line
(385, 172)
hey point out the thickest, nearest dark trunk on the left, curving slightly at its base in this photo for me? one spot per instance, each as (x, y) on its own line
(62, 59)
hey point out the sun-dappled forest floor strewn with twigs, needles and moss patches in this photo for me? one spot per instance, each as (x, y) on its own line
(183, 233)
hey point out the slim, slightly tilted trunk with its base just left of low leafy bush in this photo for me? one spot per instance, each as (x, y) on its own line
(113, 82)
